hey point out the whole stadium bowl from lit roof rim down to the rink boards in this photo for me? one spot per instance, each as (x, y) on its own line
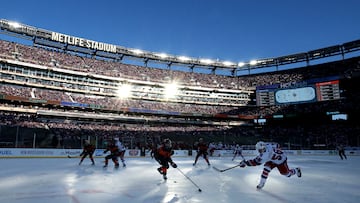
(64, 89)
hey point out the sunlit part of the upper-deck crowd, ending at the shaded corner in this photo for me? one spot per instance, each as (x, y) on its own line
(54, 58)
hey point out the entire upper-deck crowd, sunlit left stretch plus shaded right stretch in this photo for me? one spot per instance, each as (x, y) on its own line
(61, 59)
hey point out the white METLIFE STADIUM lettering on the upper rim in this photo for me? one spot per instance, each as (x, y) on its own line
(76, 41)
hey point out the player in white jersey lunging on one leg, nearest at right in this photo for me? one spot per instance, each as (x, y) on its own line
(272, 156)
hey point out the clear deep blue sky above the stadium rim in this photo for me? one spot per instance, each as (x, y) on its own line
(228, 30)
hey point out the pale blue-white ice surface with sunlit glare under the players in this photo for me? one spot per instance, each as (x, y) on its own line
(58, 180)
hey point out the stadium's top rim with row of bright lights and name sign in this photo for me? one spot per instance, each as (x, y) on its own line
(77, 44)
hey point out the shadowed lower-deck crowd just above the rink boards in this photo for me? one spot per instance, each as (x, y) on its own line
(324, 135)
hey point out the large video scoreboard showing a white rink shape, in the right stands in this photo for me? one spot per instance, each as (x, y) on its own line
(309, 92)
